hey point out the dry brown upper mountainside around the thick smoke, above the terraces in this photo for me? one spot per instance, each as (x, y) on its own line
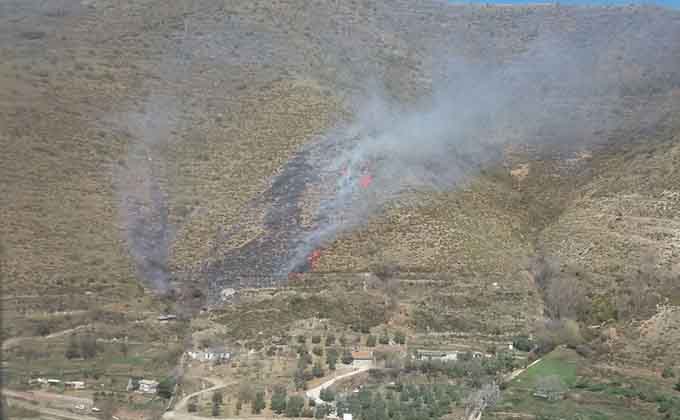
(235, 89)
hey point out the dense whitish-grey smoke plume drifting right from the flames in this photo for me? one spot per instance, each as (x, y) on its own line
(554, 93)
